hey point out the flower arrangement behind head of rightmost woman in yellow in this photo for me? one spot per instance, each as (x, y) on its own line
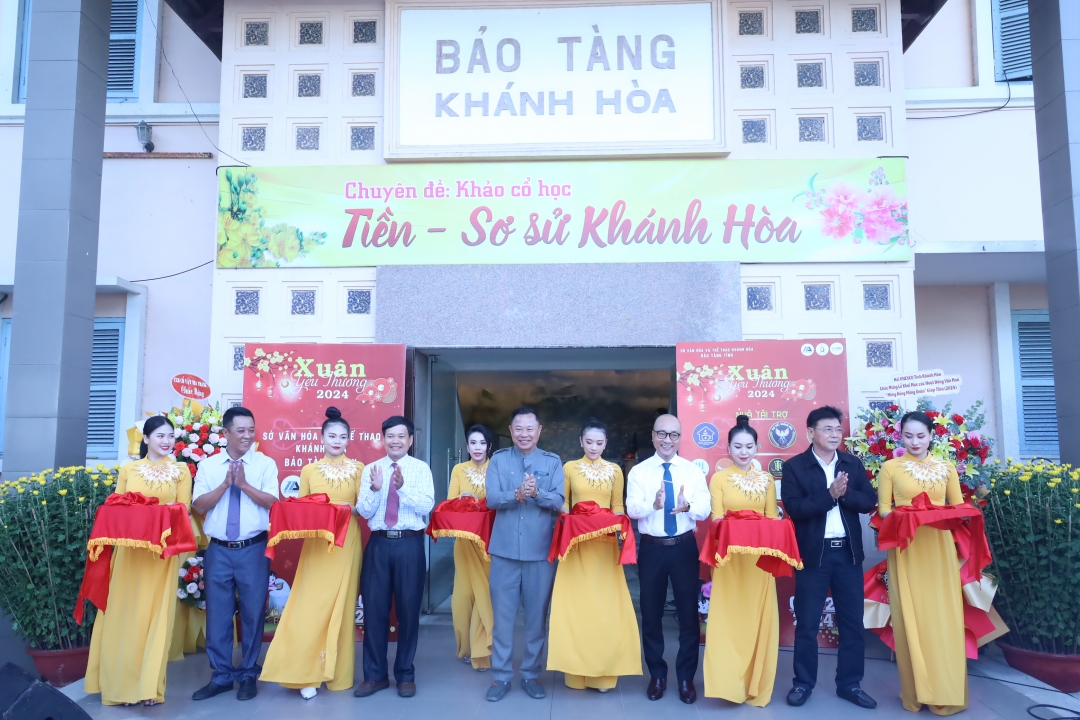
(956, 440)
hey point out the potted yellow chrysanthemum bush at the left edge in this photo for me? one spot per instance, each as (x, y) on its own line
(45, 522)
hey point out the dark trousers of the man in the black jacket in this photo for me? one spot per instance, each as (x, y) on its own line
(839, 573)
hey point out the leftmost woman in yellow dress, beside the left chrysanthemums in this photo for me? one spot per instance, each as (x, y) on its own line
(129, 648)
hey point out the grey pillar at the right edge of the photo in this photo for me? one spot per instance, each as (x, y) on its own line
(1056, 58)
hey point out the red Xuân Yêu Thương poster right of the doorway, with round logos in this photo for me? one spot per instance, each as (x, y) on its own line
(777, 384)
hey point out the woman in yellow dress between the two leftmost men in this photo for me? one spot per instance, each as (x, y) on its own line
(317, 636)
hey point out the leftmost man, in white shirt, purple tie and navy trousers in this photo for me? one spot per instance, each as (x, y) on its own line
(235, 491)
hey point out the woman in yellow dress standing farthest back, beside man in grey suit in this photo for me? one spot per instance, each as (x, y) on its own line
(471, 604)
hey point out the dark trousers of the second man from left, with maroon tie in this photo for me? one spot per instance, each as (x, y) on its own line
(393, 574)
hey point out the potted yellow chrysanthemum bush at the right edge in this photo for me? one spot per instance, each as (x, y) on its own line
(1033, 522)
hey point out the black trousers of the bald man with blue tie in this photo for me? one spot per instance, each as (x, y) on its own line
(657, 565)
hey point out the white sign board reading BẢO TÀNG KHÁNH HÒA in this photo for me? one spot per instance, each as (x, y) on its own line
(512, 81)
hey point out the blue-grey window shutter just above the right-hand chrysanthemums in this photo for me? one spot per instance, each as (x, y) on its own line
(1038, 405)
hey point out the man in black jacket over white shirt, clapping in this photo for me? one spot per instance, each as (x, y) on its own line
(825, 491)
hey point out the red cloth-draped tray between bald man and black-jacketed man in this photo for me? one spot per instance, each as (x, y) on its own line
(742, 533)
